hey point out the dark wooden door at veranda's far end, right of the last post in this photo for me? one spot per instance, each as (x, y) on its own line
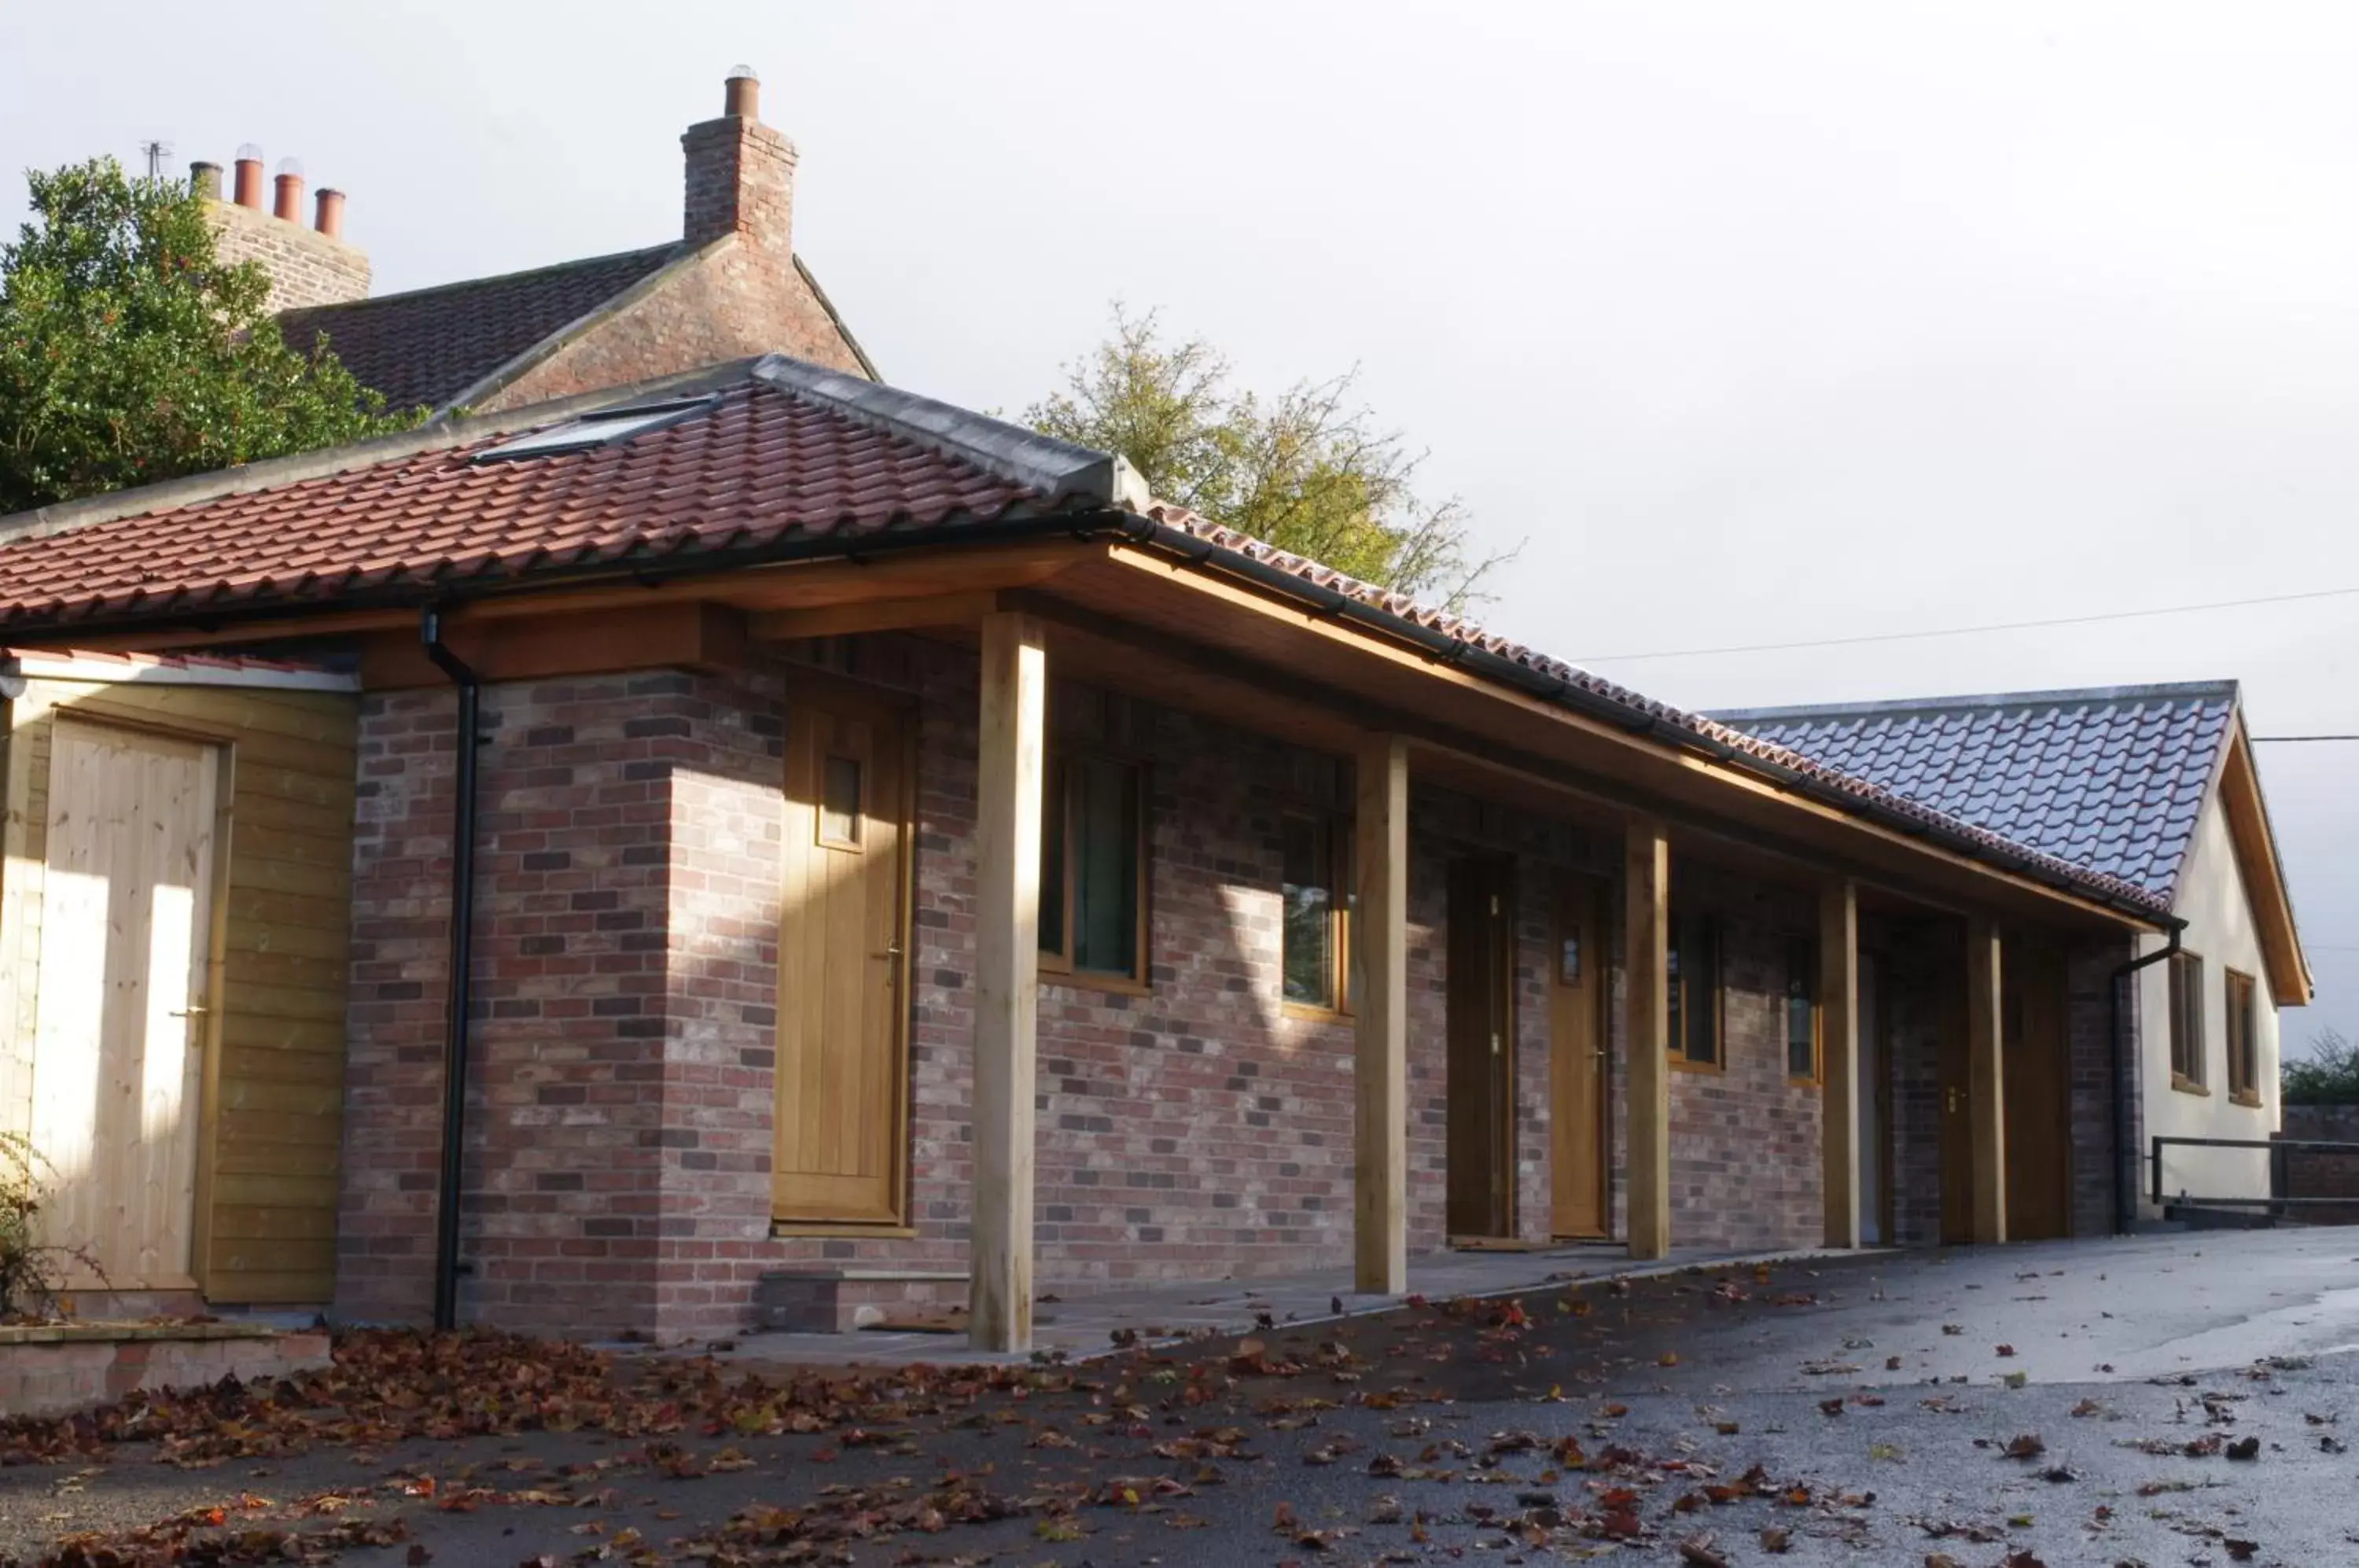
(2037, 1093)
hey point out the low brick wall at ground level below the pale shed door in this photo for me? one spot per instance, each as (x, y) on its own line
(72, 1366)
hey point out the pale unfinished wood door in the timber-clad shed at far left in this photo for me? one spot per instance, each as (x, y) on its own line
(126, 954)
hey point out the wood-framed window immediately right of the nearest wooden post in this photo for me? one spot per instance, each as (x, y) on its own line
(1093, 895)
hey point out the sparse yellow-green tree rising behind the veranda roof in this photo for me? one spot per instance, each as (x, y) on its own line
(1308, 470)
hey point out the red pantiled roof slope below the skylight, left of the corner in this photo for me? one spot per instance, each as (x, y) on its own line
(758, 468)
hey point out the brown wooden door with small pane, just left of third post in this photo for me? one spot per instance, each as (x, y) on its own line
(1577, 1060)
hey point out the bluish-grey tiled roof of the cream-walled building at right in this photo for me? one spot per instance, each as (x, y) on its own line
(2110, 779)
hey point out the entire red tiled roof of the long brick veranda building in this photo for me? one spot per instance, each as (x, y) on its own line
(756, 461)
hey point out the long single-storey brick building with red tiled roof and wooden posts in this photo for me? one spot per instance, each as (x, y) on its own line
(900, 855)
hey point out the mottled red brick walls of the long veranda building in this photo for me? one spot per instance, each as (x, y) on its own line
(626, 989)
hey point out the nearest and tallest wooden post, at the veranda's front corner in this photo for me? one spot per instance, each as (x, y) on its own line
(1011, 777)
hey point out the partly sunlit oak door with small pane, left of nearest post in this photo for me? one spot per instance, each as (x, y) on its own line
(843, 968)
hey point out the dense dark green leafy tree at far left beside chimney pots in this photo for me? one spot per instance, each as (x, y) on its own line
(131, 353)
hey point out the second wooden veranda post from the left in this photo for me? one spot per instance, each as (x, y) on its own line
(1381, 1029)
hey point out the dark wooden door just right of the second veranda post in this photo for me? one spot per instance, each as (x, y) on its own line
(1483, 1050)
